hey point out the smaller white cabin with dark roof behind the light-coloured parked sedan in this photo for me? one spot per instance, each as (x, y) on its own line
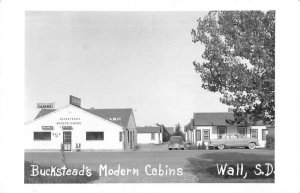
(206, 126)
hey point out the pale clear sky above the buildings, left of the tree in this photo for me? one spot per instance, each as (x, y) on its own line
(138, 60)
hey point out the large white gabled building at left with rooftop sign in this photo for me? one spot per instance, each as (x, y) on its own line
(79, 129)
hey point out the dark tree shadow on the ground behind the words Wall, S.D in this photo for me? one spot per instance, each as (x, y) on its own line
(205, 168)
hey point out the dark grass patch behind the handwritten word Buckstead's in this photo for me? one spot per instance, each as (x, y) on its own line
(40, 179)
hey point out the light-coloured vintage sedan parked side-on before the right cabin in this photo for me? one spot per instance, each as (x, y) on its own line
(233, 140)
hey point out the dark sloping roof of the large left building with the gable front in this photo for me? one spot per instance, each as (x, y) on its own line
(118, 116)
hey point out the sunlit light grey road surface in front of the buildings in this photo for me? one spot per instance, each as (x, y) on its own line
(149, 163)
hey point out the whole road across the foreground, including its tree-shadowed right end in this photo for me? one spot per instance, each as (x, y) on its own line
(198, 166)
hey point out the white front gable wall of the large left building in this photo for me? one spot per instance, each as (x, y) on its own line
(88, 121)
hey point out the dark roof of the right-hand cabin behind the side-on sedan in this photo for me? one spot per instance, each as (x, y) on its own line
(204, 119)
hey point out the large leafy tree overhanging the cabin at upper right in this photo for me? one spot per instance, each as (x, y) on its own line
(239, 61)
